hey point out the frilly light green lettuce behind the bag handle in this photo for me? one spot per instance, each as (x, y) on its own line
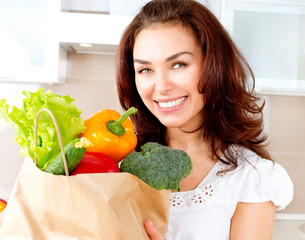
(23, 121)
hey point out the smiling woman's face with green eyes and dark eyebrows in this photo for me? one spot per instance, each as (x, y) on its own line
(168, 64)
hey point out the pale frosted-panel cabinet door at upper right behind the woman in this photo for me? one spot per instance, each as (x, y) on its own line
(271, 35)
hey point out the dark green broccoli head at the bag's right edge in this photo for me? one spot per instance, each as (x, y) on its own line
(159, 166)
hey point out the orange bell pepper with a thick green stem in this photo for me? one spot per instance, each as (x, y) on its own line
(110, 133)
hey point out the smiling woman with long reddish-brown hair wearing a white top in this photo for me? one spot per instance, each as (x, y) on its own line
(177, 65)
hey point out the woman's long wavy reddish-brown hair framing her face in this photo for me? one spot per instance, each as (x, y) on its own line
(231, 111)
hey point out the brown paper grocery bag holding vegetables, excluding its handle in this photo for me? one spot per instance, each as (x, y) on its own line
(110, 206)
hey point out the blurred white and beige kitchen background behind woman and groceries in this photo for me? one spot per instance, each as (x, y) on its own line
(40, 47)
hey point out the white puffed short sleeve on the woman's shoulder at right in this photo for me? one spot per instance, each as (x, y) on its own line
(260, 180)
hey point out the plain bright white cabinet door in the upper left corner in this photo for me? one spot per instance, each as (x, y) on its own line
(29, 51)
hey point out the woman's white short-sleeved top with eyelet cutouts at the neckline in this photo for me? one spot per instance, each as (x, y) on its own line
(206, 212)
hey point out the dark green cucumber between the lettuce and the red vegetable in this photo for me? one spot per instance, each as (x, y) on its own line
(73, 157)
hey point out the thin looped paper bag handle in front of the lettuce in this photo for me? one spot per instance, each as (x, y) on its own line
(58, 135)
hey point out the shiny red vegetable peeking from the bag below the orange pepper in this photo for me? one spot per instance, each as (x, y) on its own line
(96, 163)
